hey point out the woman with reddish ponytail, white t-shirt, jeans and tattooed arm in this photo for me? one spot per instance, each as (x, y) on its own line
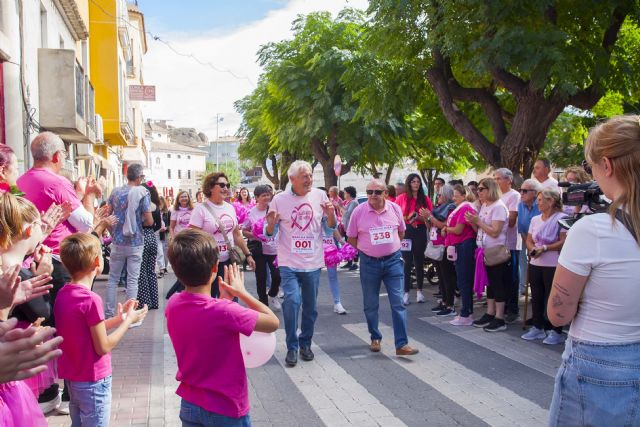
(596, 288)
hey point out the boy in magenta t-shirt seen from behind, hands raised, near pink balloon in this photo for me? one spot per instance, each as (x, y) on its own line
(205, 333)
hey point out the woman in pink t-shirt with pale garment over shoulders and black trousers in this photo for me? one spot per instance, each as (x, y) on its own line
(544, 241)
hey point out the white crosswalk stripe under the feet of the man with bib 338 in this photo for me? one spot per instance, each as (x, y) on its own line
(487, 400)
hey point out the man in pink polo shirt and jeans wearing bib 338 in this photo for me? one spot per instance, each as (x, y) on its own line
(376, 228)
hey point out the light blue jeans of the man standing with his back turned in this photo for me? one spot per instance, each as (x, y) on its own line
(121, 255)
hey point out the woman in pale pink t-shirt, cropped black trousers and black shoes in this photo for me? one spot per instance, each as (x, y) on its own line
(492, 232)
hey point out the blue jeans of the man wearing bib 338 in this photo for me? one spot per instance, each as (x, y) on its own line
(389, 270)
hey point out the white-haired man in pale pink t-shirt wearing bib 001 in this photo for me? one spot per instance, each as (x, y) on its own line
(297, 217)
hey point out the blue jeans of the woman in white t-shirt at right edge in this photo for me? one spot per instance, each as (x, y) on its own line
(597, 385)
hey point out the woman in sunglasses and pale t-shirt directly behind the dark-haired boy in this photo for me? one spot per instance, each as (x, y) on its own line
(214, 211)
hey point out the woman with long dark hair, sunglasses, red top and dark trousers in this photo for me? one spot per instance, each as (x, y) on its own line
(415, 239)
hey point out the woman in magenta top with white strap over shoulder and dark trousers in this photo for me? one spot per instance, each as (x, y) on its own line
(461, 235)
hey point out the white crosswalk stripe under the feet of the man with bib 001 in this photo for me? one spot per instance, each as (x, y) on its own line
(334, 395)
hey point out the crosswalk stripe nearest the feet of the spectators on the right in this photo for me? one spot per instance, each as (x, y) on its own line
(532, 355)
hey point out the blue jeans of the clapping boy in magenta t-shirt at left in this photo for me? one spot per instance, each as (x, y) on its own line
(90, 403)
